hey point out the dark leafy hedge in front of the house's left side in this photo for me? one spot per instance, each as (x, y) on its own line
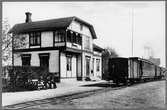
(19, 78)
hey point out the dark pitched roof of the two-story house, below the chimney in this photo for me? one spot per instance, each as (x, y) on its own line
(47, 25)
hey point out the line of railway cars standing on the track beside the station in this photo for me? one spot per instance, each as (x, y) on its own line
(132, 69)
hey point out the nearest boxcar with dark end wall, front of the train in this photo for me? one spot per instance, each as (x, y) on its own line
(125, 70)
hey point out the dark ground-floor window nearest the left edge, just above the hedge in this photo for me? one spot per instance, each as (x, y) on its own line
(26, 59)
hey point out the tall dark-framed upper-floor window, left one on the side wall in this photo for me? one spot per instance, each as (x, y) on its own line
(35, 38)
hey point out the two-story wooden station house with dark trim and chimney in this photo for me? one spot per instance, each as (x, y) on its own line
(64, 45)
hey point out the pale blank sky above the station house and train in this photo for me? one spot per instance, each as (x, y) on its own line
(114, 22)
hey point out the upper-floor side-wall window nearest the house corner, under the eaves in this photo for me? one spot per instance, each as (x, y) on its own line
(59, 36)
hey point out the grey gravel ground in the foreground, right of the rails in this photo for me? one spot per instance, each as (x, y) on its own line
(150, 94)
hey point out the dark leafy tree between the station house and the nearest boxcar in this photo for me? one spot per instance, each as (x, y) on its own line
(106, 54)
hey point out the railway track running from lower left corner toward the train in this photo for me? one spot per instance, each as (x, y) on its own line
(62, 99)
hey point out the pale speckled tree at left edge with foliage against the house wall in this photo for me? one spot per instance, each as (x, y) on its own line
(19, 41)
